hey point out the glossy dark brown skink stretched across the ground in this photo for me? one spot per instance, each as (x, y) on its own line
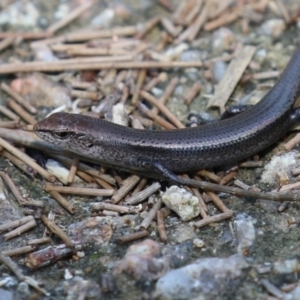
(166, 151)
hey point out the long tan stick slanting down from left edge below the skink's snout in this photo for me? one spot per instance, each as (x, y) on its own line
(28, 160)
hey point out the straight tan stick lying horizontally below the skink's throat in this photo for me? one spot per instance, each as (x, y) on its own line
(78, 191)
